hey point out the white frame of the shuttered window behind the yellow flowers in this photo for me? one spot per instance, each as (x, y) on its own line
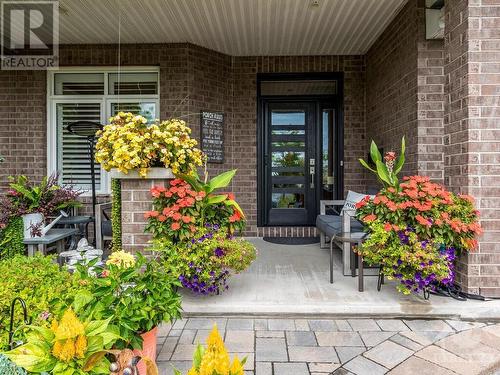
(104, 100)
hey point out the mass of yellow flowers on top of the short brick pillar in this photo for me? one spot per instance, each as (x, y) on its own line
(129, 143)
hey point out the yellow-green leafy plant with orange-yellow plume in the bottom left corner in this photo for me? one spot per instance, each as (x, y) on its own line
(66, 347)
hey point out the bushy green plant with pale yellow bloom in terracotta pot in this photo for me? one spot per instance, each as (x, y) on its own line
(136, 295)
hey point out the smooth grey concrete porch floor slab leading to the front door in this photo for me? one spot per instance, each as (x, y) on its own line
(288, 280)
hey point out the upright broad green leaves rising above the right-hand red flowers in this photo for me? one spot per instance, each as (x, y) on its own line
(388, 168)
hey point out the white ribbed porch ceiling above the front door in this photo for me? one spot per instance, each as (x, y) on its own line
(234, 27)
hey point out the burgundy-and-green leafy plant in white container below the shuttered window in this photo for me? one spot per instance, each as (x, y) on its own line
(35, 202)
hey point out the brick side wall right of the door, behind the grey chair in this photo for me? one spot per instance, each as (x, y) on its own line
(405, 92)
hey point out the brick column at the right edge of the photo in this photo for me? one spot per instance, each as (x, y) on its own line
(472, 135)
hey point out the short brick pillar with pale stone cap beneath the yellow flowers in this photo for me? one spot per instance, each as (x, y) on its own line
(135, 201)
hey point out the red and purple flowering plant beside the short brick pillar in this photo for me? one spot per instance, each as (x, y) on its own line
(193, 228)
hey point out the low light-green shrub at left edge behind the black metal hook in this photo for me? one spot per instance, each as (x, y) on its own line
(46, 289)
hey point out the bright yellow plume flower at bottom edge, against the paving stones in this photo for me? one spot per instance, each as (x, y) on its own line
(214, 359)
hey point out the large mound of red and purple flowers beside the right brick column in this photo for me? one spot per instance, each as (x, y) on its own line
(416, 229)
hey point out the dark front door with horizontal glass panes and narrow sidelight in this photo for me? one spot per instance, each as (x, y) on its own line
(299, 156)
